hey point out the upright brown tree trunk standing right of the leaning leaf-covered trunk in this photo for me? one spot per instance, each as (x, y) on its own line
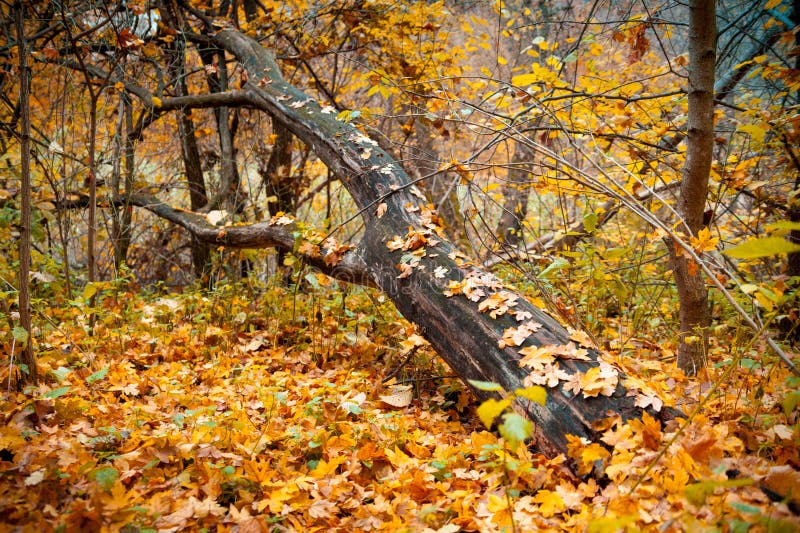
(692, 292)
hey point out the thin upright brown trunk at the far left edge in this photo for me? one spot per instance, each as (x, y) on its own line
(28, 357)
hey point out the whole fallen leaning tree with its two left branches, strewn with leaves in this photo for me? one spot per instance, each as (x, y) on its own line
(482, 329)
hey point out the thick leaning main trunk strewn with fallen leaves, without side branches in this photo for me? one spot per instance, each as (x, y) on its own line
(417, 278)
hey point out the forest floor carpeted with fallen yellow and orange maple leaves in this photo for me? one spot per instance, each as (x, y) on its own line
(271, 411)
